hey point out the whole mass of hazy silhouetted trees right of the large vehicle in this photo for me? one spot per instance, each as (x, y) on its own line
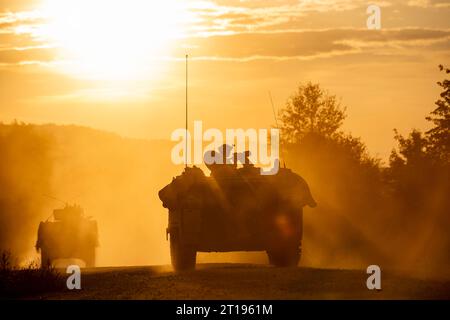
(396, 214)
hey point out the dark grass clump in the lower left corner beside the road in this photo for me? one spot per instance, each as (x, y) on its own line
(31, 280)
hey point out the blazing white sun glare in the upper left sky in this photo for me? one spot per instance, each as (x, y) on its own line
(112, 39)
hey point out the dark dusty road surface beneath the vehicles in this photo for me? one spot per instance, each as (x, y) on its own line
(243, 281)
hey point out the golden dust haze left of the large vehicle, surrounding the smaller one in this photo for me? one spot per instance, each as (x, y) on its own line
(114, 179)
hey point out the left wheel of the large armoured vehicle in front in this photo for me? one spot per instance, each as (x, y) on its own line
(183, 257)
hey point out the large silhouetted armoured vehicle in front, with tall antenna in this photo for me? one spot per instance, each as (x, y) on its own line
(235, 209)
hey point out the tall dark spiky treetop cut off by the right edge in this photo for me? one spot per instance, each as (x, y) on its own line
(439, 135)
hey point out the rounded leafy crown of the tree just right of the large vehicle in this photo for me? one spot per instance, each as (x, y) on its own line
(311, 110)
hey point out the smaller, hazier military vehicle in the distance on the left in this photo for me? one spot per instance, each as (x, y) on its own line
(69, 235)
